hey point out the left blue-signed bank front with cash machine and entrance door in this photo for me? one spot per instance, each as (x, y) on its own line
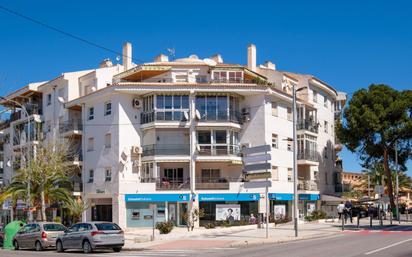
(141, 209)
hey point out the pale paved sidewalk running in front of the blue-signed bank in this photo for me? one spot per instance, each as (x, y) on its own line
(220, 237)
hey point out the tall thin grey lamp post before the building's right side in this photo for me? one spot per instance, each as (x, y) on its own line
(295, 168)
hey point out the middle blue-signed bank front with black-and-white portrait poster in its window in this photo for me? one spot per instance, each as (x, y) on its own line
(228, 207)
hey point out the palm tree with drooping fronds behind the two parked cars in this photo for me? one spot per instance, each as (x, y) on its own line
(48, 178)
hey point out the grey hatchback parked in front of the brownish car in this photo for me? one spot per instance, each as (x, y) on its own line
(90, 236)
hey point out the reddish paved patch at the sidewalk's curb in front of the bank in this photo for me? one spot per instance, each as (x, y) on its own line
(193, 245)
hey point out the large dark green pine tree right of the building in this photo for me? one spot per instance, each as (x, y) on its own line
(377, 120)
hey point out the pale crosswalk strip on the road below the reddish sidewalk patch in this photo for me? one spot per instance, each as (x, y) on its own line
(160, 253)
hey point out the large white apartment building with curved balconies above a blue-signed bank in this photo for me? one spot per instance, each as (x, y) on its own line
(166, 136)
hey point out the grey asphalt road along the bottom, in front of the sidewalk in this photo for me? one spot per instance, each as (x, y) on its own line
(395, 242)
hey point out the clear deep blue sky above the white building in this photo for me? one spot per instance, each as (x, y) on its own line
(349, 44)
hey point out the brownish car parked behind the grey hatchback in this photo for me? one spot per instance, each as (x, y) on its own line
(38, 235)
